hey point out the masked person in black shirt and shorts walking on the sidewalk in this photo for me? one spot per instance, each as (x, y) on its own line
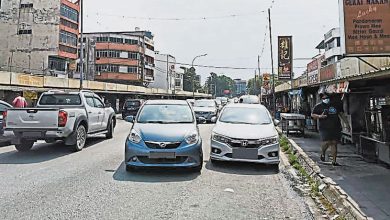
(329, 116)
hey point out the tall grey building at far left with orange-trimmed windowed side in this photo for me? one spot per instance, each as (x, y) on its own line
(39, 36)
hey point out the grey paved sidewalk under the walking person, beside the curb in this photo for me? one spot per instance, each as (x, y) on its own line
(367, 183)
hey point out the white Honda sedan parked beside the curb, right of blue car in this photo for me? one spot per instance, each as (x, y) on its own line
(245, 133)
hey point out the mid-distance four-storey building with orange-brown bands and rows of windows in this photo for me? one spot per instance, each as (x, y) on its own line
(124, 57)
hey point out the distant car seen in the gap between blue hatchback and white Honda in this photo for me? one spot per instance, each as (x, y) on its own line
(206, 109)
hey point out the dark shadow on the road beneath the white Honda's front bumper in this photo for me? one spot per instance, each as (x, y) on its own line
(241, 168)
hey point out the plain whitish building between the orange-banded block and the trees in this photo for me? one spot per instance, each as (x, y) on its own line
(168, 75)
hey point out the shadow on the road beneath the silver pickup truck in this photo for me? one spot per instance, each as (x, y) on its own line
(42, 152)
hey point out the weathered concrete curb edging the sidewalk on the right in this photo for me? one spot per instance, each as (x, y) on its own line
(345, 206)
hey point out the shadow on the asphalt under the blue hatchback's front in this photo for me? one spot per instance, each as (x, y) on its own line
(155, 175)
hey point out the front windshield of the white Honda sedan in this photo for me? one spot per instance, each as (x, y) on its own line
(245, 115)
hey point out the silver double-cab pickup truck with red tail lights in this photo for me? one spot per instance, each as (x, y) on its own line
(65, 116)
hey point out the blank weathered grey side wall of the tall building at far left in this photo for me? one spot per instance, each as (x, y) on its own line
(28, 52)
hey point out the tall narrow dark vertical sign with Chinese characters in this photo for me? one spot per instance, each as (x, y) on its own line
(285, 58)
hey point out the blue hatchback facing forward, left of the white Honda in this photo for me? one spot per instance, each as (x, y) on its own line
(164, 134)
